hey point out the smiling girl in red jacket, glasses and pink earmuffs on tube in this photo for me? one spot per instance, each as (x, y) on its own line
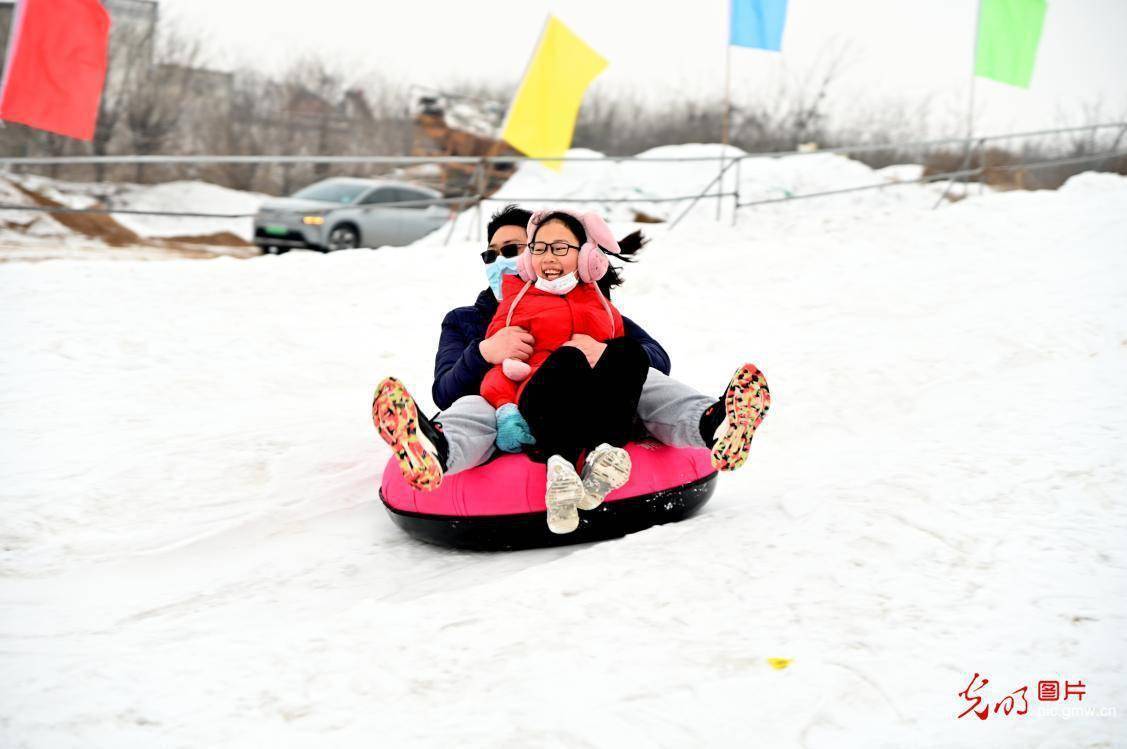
(579, 391)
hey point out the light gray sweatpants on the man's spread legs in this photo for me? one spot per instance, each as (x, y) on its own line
(669, 409)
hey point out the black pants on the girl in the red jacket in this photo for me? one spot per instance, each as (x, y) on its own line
(572, 407)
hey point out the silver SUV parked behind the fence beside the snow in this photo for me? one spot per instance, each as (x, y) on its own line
(344, 213)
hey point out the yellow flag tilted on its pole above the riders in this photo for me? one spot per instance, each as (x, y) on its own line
(543, 118)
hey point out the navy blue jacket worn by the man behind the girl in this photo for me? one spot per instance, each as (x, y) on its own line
(459, 367)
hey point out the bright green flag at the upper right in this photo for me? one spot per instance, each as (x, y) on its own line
(1008, 35)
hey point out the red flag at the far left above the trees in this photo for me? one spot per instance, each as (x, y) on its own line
(57, 66)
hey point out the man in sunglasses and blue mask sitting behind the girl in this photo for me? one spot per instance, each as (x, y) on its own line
(671, 412)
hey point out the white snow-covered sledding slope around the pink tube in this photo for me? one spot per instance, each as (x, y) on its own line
(193, 554)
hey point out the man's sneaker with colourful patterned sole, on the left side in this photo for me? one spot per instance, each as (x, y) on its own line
(418, 444)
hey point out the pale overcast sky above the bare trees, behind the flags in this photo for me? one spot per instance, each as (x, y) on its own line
(900, 50)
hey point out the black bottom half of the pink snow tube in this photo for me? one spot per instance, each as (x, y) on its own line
(530, 530)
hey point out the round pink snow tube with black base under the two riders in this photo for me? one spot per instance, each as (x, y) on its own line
(501, 505)
